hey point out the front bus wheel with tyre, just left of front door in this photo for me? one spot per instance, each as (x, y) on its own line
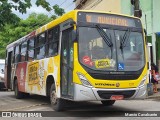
(57, 104)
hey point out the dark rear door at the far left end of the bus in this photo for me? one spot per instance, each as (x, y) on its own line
(8, 70)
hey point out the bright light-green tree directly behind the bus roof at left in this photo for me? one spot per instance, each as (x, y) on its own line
(13, 32)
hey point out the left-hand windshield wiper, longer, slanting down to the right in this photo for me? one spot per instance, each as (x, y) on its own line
(104, 36)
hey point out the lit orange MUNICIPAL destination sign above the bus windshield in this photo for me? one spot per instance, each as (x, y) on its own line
(109, 19)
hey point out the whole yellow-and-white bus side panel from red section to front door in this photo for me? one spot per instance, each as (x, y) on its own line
(37, 73)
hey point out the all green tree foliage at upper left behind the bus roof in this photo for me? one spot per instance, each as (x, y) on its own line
(13, 28)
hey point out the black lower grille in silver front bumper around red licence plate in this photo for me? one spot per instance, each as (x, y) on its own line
(108, 94)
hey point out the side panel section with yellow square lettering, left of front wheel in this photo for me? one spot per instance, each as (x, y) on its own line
(36, 72)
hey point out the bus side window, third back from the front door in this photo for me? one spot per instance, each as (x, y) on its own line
(31, 49)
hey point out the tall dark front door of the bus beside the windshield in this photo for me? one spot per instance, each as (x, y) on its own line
(66, 62)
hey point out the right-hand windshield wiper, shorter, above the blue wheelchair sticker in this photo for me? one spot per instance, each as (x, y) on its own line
(125, 38)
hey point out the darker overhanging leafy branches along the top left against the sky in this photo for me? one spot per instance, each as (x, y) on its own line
(6, 6)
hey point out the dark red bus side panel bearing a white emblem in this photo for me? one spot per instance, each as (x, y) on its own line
(21, 75)
